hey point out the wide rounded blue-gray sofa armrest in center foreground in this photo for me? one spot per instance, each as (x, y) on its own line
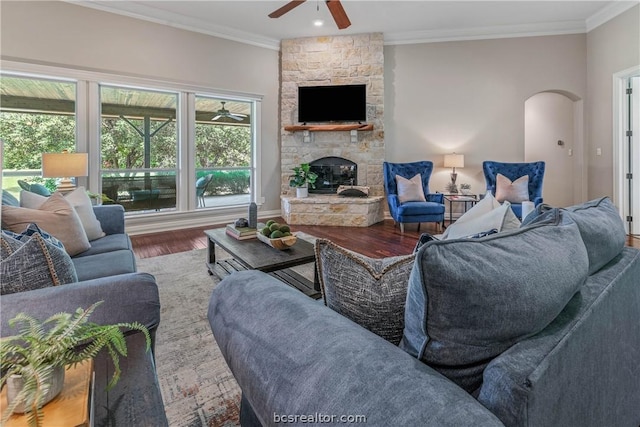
(292, 356)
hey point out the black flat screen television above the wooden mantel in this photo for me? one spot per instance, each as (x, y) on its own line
(343, 103)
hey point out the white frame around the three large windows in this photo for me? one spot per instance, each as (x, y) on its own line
(88, 138)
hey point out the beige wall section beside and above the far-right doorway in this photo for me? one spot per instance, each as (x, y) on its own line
(612, 47)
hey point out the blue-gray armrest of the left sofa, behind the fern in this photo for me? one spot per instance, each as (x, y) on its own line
(127, 298)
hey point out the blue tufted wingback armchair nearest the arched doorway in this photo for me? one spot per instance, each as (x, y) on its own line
(513, 171)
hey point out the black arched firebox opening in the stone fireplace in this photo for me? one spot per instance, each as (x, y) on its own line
(332, 173)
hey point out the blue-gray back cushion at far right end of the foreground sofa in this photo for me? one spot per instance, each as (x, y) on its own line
(600, 226)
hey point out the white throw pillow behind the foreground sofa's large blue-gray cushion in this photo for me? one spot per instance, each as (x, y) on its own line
(500, 219)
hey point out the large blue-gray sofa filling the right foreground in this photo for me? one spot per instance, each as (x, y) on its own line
(297, 360)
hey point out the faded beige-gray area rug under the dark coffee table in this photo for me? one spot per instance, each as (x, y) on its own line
(197, 386)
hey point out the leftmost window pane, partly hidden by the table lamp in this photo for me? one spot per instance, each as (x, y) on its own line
(36, 116)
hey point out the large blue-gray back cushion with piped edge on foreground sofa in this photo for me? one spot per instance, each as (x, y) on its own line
(470, 300)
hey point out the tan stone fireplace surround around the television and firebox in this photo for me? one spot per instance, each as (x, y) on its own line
(353, 59)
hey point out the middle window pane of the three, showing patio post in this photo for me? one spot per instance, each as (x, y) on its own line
(139, 147)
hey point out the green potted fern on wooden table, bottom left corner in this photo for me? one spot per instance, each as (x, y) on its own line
(33, 361)
